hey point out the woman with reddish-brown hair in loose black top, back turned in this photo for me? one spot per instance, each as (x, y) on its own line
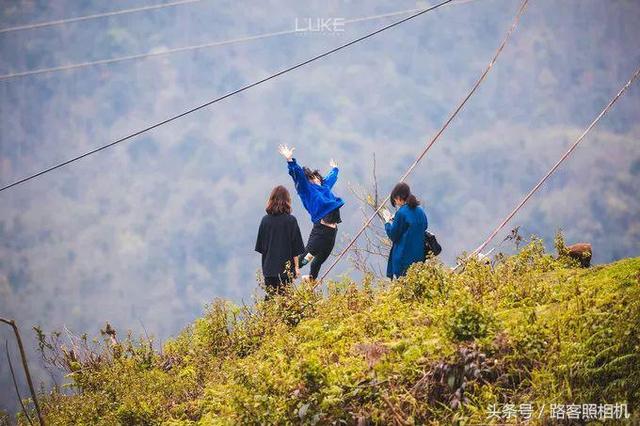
(280, 242)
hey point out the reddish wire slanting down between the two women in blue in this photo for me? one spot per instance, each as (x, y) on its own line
(455, 112)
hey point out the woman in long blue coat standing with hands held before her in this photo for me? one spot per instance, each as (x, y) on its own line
(405, 230)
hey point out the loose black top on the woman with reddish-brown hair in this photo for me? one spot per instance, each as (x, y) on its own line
(279, 241)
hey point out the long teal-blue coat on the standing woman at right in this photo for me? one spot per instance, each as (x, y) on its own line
(407, 234)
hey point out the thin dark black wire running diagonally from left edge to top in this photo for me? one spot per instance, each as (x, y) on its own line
(242, 89)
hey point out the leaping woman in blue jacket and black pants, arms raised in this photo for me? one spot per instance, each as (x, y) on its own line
(323, 206)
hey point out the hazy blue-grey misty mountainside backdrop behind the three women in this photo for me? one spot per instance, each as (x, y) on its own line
(151, 230)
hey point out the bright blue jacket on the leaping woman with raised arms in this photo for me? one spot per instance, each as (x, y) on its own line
(317, 199)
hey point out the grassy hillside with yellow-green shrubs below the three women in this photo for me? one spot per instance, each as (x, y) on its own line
(435, 347)
